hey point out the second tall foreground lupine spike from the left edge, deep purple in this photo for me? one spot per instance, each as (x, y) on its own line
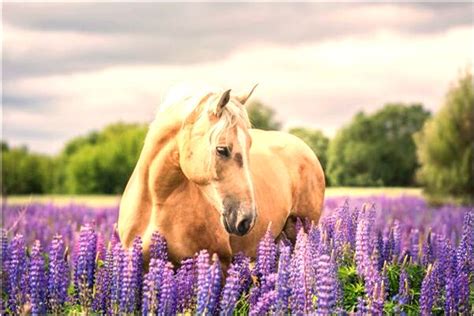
(37, 281)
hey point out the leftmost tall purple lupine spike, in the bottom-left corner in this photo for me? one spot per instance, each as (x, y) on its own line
(17, 272)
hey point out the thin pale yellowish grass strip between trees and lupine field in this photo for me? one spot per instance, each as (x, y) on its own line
(111, 200)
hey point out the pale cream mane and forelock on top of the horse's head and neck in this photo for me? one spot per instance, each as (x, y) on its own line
(191, 96)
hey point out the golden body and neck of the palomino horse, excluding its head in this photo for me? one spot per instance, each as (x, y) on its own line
(286, 180)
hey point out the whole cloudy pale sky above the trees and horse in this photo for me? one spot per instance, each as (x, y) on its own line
(69, 69)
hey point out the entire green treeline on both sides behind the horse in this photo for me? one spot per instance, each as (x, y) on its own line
(399, 145)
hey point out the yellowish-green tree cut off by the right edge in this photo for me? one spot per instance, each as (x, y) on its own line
(445, 145)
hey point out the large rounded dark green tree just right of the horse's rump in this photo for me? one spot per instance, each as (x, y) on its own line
(378, 149)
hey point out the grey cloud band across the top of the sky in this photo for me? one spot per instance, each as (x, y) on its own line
(53, 38)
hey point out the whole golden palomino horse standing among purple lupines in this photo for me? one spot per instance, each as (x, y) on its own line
(205, 180)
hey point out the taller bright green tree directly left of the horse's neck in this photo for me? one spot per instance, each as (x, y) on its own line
(101, 162)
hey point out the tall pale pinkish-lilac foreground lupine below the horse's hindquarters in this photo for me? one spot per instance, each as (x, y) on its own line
(301, 278)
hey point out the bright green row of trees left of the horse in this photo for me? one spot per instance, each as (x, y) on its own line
(100, 162)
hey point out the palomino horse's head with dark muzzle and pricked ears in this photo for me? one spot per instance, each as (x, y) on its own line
(214, 154)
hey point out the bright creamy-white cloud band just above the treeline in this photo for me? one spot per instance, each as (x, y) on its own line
(315, 83)
